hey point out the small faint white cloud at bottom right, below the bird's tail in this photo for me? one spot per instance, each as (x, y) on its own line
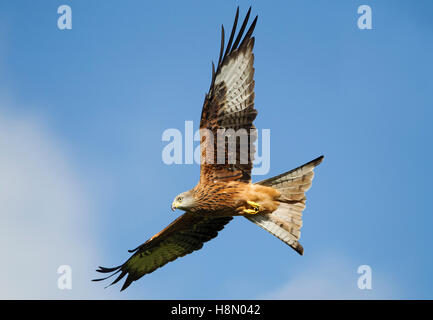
(333, 277)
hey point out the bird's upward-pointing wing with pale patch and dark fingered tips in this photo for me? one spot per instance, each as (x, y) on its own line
(228, 111)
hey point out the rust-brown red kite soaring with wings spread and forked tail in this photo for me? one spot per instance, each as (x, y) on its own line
(225, 188)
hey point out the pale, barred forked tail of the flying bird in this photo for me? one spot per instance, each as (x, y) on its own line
(285, 223)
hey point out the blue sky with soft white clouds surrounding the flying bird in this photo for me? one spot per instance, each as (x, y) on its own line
(82, 113)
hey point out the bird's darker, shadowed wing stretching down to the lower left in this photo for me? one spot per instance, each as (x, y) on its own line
(183, 236)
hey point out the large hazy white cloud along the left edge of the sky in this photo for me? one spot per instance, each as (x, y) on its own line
(45, 215)
